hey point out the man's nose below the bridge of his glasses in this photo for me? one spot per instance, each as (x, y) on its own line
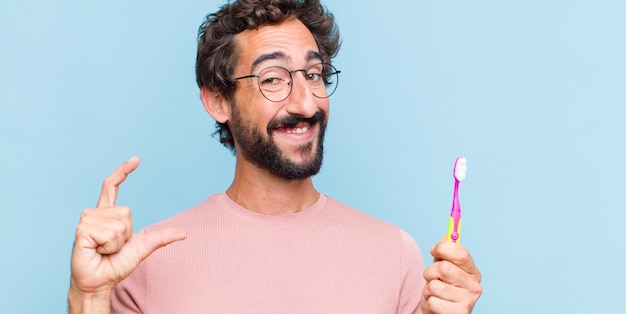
(301, 101)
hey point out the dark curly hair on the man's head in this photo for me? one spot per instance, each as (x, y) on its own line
(217, 55)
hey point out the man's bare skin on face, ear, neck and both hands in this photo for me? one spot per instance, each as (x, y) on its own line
(106, 251)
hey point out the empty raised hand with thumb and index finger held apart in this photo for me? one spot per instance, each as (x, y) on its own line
(105, 249)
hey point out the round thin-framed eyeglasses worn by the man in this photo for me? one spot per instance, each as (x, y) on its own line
(276, 83)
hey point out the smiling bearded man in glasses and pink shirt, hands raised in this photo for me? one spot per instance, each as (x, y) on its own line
(271, 243)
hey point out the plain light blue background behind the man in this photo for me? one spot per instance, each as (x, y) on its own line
(531, 92)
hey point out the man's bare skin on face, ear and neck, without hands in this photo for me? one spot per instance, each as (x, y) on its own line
(253, 187)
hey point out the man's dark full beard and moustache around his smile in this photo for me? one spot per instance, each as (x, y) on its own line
(263, 151)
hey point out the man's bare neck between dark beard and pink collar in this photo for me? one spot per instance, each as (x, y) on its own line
(260, 191)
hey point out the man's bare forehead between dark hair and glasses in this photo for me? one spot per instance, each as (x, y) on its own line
(287, 43)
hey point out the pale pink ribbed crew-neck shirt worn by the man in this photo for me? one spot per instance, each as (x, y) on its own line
(329, 258)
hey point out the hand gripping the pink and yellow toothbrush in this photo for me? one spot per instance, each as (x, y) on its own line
(452, 281)
